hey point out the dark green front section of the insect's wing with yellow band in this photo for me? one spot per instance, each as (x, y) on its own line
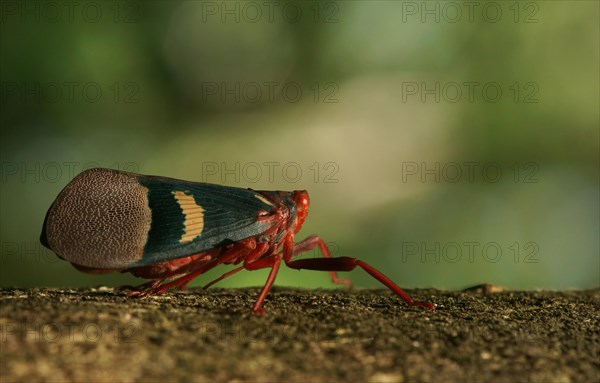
(190, 217)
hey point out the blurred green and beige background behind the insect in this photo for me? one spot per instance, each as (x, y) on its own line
(374, 107)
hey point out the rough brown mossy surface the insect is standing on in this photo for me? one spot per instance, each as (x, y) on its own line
(100, 335)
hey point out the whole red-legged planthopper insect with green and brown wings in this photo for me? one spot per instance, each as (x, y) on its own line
(171, 231)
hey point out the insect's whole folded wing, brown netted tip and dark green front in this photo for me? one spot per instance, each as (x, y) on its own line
(107, 219)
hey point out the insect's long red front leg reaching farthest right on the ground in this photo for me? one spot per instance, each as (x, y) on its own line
(347, 264)
